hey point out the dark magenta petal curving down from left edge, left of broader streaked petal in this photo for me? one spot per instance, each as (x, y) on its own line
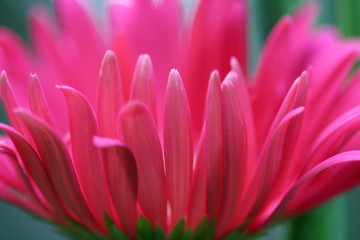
(35, 169)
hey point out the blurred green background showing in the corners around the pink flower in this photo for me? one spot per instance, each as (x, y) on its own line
(338, 219)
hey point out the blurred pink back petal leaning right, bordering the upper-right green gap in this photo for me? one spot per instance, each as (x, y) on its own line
(269, 93)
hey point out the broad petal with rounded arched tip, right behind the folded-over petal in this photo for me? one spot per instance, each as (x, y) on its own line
(139, 132)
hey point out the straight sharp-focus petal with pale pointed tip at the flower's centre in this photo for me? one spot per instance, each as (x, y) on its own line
(178, 145)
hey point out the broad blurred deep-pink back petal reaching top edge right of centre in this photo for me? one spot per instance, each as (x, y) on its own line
(218, 33)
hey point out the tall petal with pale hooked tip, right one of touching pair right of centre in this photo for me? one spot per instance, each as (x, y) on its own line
(235, 152)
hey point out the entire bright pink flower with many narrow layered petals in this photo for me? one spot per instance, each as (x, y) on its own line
(240, 148)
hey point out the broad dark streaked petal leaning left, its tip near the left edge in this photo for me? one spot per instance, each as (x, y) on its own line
(58, 164)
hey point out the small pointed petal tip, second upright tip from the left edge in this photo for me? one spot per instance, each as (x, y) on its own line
(38, 102)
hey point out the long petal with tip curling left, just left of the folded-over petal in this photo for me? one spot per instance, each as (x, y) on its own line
(86, 157)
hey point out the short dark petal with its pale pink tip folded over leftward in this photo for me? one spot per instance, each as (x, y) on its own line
(122, 179)
